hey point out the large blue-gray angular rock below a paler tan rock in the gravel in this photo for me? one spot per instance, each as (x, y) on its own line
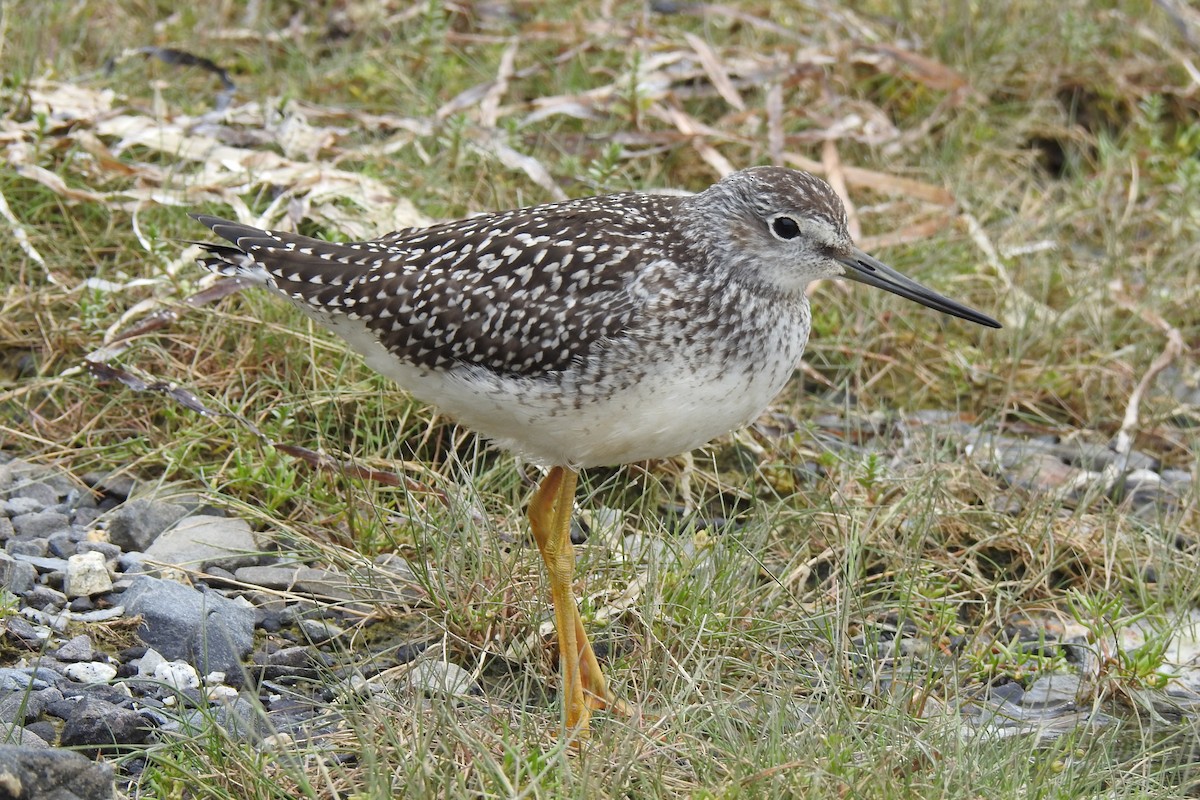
(206, 629)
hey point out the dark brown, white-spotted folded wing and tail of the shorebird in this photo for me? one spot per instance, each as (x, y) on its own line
(520, 293)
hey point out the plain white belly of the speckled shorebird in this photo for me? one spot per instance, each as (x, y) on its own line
(646, 410)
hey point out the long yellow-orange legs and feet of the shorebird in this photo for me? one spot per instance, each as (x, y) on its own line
(585, 688)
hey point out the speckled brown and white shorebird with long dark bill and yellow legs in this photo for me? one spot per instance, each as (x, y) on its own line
(591, 333)
